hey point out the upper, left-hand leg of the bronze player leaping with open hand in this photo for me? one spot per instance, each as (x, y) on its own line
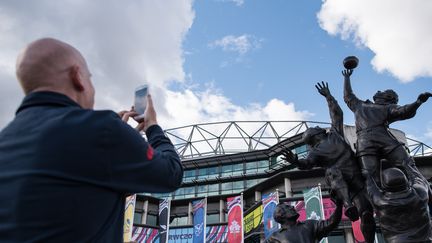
(340, 188)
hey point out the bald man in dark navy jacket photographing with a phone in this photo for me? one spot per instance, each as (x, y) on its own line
(65, 169)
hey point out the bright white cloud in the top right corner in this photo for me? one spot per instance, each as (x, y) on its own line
(398, 32)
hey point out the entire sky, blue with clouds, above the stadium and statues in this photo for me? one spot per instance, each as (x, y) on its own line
(218, 60)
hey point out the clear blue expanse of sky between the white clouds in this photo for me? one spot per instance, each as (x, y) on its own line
(294, 52)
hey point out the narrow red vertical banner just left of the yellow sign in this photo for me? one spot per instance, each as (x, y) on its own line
(235, 219)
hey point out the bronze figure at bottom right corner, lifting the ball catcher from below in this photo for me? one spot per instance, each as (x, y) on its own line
(402, 205)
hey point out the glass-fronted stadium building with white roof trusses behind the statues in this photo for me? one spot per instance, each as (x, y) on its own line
(226, 159)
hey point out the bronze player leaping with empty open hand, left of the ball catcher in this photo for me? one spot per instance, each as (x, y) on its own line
(329, 150)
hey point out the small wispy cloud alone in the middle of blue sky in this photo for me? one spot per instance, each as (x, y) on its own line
(240, 44)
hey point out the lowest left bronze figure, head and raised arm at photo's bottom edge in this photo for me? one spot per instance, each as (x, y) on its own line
(293, 231)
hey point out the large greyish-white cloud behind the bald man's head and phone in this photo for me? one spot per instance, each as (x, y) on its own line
(125, 44)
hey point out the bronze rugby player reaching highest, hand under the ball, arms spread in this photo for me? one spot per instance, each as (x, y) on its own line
(372, 119)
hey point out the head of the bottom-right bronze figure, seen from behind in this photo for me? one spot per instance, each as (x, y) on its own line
(394, 180)
